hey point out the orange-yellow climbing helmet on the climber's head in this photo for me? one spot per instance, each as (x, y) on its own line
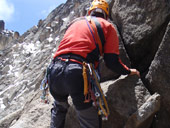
(102, 4)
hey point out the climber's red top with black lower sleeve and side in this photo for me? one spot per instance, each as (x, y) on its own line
(79, 40)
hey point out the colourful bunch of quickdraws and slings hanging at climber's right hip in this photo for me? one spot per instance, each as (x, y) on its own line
(93, 91)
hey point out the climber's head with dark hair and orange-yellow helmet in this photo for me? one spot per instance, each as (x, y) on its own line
(99, 8)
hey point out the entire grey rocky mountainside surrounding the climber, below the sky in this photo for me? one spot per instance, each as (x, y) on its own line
(134, 103)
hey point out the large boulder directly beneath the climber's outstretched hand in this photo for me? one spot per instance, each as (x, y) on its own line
(130, 104)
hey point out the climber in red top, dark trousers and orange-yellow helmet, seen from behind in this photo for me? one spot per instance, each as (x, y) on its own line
(80, 44)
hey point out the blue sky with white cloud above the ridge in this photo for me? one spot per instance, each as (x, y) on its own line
(21, 15)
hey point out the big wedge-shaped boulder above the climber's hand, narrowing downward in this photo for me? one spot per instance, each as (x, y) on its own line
(142, 26)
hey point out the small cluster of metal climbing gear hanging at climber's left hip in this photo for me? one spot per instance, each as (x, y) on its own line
(44, 88)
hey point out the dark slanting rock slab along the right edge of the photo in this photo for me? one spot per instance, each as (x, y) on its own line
(158, 80)
